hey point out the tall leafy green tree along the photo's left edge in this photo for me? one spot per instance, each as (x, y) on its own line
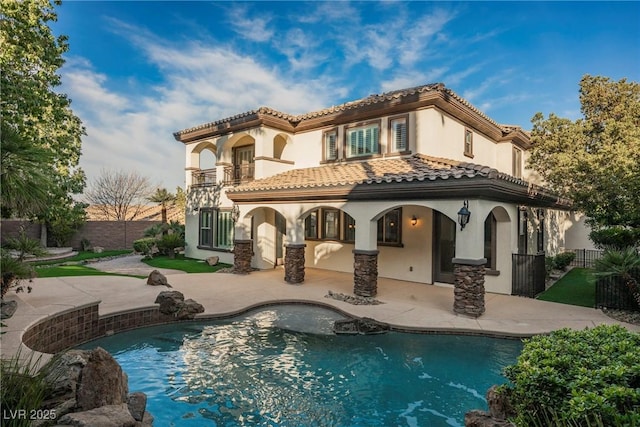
(37, 121)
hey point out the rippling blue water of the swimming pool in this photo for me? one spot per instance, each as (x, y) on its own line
(282, 366)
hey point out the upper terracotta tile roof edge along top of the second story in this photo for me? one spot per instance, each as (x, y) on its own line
(351, 105)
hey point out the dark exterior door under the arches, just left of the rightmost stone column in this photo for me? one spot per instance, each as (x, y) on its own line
(444, 248)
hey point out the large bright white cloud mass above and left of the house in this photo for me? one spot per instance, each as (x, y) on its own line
(132, 130)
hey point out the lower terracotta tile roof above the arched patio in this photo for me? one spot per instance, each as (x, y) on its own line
(418, 167)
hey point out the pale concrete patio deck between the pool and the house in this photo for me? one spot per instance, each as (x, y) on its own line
(407, 305)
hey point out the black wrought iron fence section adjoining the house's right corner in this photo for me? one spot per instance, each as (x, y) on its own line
(529, 275)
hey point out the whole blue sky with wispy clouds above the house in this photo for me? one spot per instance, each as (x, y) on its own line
(138, 71)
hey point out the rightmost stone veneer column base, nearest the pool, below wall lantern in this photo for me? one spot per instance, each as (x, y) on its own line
(469, 287)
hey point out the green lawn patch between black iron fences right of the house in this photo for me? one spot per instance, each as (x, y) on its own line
(577, 287)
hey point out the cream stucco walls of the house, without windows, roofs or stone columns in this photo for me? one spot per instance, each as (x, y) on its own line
(430, 132)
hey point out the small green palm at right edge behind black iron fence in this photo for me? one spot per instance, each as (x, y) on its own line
(624, 264)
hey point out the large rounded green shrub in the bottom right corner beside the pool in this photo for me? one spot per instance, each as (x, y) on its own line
(589, 377)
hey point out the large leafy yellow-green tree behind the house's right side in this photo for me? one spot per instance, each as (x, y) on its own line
(594, 160)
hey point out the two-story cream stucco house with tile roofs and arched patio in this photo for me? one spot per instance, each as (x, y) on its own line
(415, 184)
